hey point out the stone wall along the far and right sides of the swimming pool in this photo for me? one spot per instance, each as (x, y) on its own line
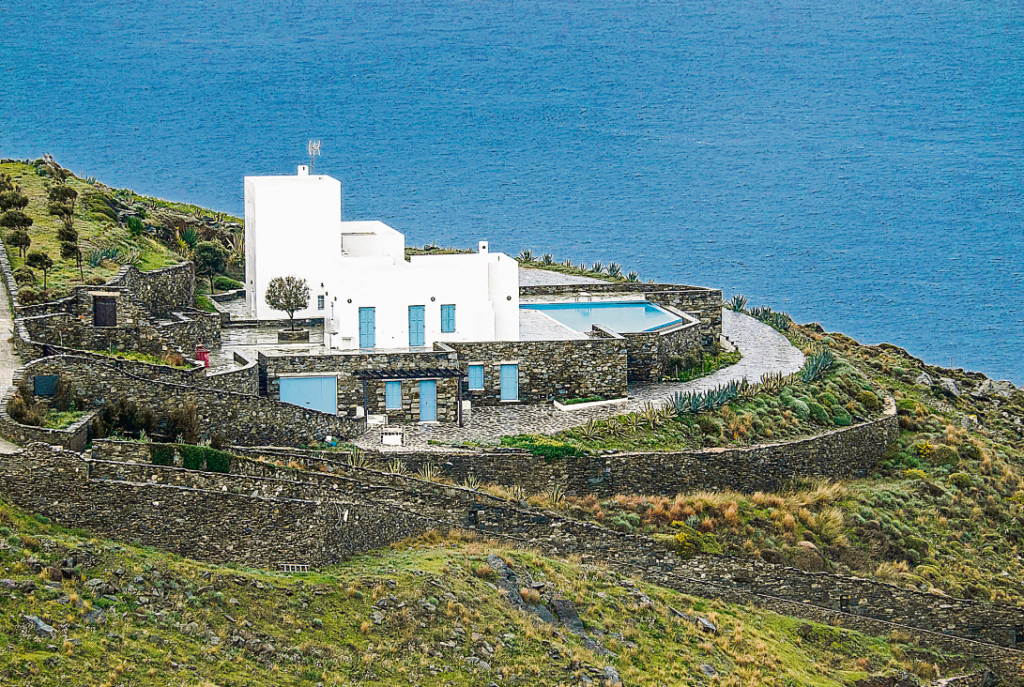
(706, 305)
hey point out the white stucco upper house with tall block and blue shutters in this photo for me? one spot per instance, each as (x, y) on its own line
(293, 228)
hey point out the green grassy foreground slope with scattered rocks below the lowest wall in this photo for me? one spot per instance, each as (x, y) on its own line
(320, 628)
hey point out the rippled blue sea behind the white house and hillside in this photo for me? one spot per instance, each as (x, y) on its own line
(854, 163)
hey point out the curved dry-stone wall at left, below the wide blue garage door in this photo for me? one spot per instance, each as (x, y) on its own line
(241, 418)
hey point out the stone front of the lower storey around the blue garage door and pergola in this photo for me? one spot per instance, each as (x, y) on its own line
(351, 390)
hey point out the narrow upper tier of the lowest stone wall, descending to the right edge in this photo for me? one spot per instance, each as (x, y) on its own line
(738, 577)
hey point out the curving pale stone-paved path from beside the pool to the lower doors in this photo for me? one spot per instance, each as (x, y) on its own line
(763, 349)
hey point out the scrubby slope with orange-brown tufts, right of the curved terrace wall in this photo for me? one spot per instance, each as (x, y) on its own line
(945, 511)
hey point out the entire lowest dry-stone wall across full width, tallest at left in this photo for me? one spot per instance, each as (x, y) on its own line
(220, 523)
